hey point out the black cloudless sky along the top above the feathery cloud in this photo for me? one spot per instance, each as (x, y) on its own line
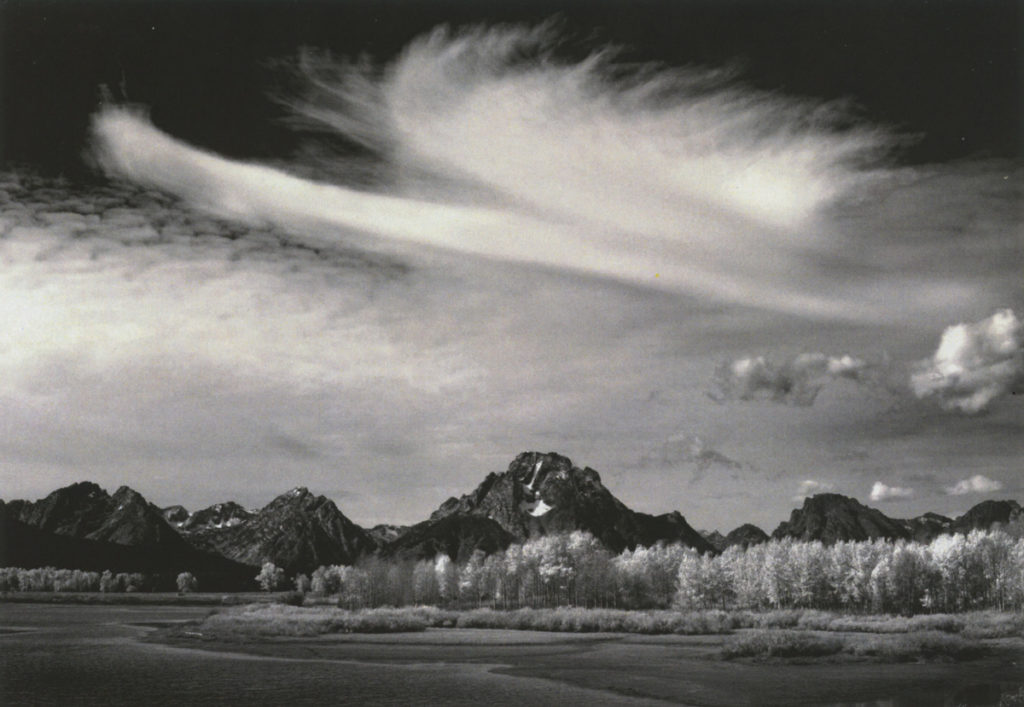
(949, 71)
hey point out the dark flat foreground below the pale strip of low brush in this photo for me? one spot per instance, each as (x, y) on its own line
(143, 655)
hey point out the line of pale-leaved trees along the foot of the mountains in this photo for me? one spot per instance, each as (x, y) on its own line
(954, 573)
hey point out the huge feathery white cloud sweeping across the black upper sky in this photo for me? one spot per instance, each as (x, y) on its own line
(682, 181)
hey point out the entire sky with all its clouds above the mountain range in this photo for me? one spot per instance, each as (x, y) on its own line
(729, 255)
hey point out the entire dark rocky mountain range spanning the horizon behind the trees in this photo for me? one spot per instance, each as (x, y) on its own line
(81, 526)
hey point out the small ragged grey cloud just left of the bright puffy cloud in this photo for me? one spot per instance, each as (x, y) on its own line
(796, 382)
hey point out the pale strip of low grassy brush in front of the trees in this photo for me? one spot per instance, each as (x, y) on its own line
(745, 636)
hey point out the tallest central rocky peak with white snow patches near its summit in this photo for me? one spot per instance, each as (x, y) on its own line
(541, 494)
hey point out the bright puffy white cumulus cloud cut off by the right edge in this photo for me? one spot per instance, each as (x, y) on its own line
(975, 364)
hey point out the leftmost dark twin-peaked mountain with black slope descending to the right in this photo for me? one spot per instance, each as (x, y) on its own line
(76, 538)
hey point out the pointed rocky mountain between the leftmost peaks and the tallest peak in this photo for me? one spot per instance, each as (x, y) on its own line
(297, 531)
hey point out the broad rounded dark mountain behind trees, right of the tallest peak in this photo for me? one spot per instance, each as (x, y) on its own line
(831, 518)
